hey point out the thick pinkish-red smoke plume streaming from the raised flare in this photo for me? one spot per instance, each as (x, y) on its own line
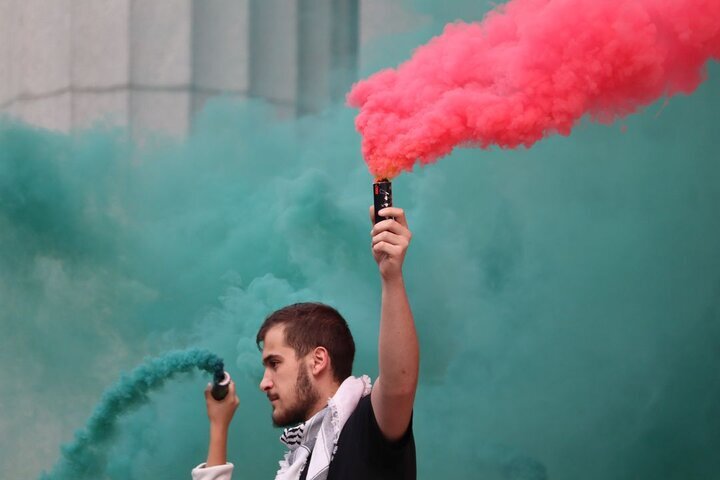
(530, 69)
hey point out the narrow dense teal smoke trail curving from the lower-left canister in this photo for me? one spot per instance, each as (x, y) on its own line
(86, 457)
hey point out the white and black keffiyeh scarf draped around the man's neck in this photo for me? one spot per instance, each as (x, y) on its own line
(319, 434)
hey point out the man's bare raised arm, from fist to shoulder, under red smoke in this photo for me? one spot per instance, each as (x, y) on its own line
(398, 352)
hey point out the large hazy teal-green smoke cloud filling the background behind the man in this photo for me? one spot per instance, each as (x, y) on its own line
(567, 297)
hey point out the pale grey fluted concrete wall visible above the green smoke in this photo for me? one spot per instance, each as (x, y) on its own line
(151, 63)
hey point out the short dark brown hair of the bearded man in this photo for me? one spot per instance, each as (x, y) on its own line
(311, 325)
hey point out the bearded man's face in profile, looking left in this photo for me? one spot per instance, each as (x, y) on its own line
(286, 381)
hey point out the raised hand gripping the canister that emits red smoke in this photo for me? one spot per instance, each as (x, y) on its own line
(390, 240)
